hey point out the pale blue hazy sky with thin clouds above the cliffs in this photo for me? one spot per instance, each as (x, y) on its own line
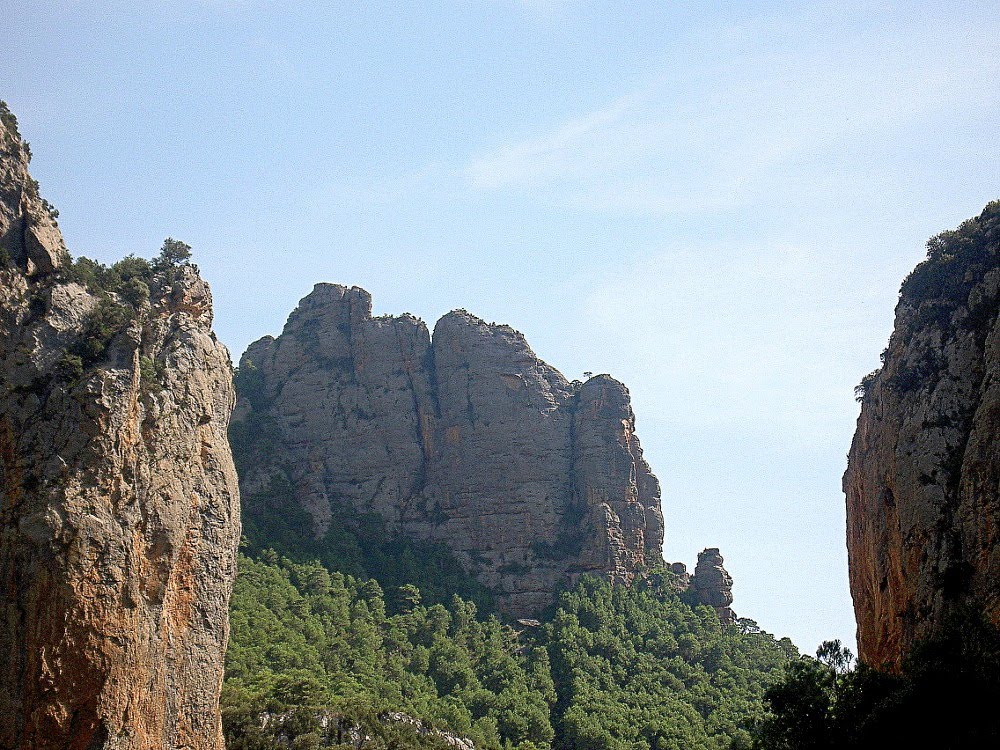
(713, 202)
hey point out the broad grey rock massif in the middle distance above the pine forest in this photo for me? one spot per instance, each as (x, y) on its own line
(465, 438)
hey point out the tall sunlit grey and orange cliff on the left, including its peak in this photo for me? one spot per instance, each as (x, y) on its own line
(118, 498)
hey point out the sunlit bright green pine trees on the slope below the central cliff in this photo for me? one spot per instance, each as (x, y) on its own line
(610, 668)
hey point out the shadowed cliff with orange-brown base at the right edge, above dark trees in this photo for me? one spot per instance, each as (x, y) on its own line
(923, 479)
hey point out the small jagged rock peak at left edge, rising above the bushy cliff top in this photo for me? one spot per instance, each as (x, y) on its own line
(28, 232)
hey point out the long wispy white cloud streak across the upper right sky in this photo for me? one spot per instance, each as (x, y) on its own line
(734, 112)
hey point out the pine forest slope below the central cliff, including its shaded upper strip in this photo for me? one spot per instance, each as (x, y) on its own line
(345, 630)
